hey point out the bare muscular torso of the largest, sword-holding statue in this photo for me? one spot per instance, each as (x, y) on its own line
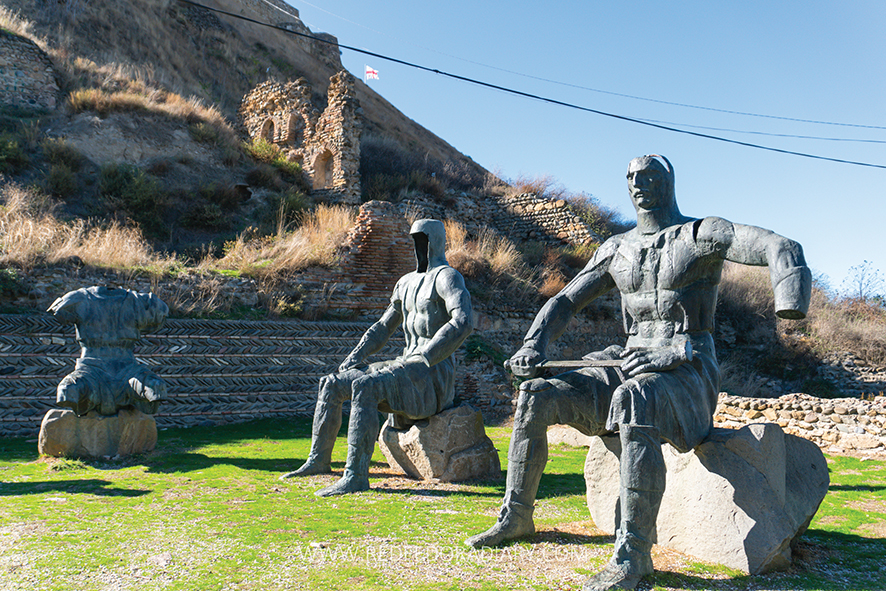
(668, 283)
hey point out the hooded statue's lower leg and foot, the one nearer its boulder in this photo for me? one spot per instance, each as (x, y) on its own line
(362, 433)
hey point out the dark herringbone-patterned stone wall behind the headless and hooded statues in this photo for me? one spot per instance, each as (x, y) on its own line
(217, 371)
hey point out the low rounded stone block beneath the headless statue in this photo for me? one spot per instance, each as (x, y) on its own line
(63, 433)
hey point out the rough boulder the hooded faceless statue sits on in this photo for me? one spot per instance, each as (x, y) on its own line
(450, 446)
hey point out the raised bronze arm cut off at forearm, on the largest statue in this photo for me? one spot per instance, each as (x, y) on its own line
(790, 276)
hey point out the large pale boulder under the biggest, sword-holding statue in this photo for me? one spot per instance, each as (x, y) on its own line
(740, 499)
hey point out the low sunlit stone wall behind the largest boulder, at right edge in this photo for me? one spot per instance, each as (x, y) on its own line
(836, 425)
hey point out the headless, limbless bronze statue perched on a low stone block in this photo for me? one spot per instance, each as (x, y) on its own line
(107, 377)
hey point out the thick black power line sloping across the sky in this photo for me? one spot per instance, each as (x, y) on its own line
(538, 97)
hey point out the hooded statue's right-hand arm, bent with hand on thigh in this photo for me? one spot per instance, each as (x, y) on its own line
(450, 286)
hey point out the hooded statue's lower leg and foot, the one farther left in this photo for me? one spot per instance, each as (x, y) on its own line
(334, 390)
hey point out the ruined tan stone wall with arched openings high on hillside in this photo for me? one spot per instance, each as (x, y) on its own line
(327, 144)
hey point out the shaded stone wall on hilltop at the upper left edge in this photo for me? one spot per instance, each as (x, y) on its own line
(27, 78)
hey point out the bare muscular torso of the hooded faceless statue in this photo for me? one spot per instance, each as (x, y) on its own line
(424, 311)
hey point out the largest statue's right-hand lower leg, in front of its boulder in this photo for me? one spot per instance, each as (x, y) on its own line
(642, 476)
